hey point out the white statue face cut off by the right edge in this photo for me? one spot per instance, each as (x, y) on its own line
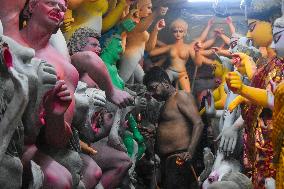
(278, 40)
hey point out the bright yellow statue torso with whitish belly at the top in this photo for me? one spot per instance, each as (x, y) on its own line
(98, 15)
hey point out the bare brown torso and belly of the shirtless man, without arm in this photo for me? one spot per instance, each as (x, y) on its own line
(174, 130)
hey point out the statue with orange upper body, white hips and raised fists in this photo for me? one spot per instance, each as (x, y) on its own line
(139, 40)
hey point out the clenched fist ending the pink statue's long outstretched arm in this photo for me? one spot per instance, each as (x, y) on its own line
(120, 98)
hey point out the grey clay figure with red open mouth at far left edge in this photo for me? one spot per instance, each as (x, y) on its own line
(14, 99)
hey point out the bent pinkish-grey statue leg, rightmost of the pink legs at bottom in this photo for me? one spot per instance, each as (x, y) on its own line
(114, 164)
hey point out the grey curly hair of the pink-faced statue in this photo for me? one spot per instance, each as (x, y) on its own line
(79, 39)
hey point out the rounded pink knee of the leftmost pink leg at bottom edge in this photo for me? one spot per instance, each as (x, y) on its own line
(58, 180)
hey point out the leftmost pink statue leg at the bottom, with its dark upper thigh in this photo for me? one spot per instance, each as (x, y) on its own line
(55, 175)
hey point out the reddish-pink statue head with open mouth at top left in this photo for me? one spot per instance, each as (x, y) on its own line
(49, 13)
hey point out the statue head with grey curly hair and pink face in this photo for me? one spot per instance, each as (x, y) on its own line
(84, 39)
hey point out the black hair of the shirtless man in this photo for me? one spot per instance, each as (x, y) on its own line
(156, 74)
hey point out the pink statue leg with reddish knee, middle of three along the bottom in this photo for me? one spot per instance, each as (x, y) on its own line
(92, 173)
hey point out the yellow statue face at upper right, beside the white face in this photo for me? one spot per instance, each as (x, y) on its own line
(260, 32)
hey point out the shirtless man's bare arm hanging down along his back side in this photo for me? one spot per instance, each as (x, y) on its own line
(188, 108)
